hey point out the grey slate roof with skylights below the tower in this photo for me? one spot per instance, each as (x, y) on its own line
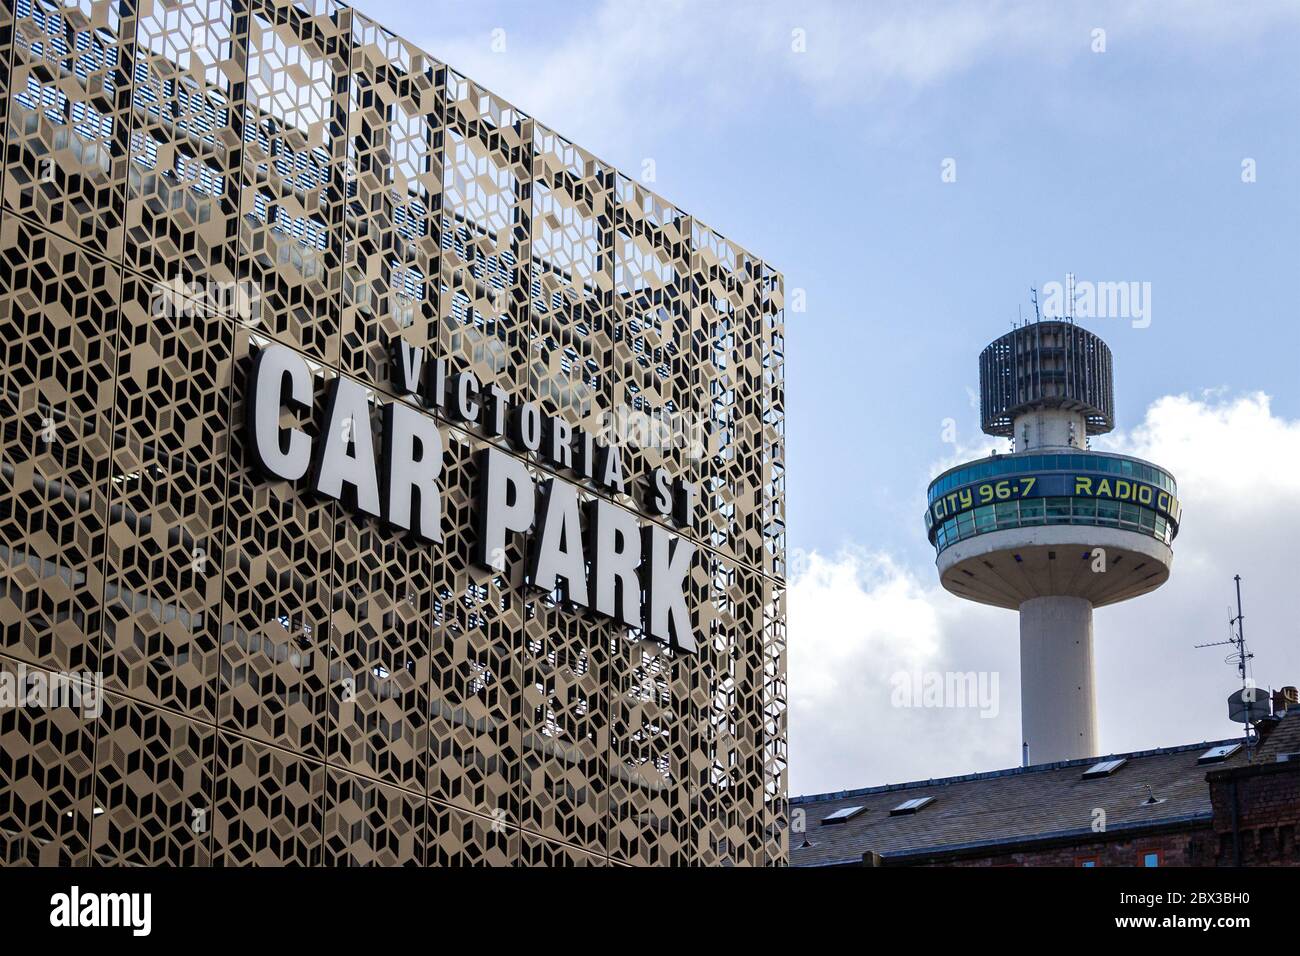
(1008, 807)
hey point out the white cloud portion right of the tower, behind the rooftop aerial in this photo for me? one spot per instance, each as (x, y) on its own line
(1238, 470)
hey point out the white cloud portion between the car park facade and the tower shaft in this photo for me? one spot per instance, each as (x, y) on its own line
(856, 621)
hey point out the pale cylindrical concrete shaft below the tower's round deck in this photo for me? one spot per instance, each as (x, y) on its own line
(1059, 702)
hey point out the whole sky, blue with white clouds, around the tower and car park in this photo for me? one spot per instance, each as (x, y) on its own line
(1117, 166)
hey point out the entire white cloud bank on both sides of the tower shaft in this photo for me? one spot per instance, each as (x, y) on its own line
(859, 617)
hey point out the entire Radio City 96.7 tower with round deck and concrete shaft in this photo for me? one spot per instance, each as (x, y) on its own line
(1052, 530)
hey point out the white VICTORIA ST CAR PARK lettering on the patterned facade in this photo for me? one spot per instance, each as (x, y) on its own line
(618, 568)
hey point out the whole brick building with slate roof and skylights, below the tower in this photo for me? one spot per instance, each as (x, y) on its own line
(1207, 804)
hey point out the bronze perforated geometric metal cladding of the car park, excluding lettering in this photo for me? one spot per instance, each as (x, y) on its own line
(287, 681)
